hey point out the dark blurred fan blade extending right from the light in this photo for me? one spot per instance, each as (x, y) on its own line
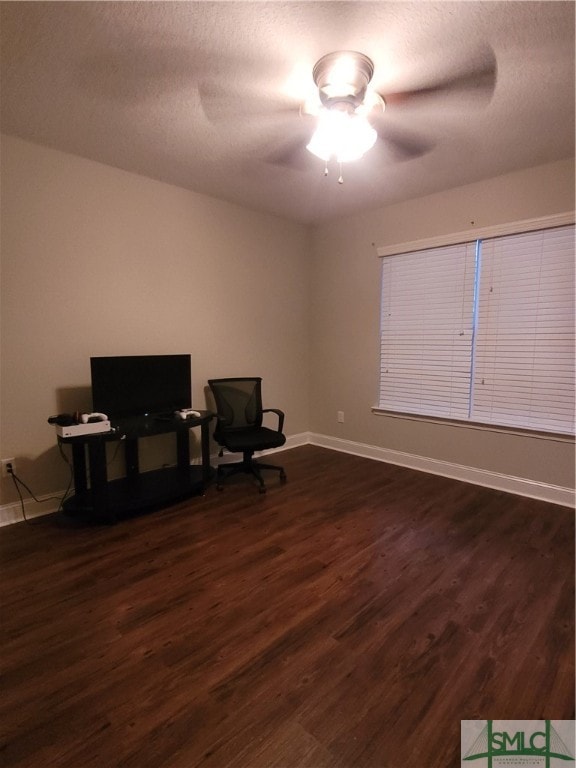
(476, 79)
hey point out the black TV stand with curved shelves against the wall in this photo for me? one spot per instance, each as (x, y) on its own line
(98, 498)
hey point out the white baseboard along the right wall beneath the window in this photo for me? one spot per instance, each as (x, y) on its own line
(518, 485)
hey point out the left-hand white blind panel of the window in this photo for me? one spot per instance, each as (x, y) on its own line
(426, 334)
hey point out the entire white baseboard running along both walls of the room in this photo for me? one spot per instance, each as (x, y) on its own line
(12, 513)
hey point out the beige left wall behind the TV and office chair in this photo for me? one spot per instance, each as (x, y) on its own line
(96, 261)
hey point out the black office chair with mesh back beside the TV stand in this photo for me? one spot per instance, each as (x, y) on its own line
(239, 427)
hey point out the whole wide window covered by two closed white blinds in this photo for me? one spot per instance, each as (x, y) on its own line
(482, 331)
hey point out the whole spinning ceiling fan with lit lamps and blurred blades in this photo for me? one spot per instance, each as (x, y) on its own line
(350, 113)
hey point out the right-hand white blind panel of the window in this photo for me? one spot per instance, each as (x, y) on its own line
(524, 361)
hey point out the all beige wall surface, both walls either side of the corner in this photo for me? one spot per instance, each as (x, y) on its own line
(97, 261)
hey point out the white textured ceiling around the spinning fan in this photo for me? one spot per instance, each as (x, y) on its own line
(207, 95)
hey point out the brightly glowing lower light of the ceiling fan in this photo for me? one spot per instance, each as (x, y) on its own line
(342, 136)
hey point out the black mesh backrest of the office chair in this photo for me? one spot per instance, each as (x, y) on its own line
(238, 402)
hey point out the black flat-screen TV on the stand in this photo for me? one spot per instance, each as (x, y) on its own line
(136, 385)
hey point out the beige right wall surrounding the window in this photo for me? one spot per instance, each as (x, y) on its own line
(346, 316)
